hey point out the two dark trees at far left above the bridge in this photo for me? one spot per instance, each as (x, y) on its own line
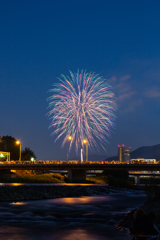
(8, 144)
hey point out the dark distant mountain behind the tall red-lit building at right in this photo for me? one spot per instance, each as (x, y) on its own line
(143, 152)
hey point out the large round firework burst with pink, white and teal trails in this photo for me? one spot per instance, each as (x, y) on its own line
(82, 106)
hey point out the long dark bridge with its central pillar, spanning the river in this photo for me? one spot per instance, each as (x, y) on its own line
(77, 172)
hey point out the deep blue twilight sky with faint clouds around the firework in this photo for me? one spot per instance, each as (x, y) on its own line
(41, 39)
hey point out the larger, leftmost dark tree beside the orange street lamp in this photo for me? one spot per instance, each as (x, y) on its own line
(8, 144)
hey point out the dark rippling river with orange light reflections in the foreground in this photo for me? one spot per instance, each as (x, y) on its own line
(83, 218)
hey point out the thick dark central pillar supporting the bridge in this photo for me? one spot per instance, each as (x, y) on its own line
(76, 176)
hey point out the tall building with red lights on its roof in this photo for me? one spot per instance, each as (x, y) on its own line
(123, 153)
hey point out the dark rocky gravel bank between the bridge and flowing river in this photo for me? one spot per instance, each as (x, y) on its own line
(39, 192)
